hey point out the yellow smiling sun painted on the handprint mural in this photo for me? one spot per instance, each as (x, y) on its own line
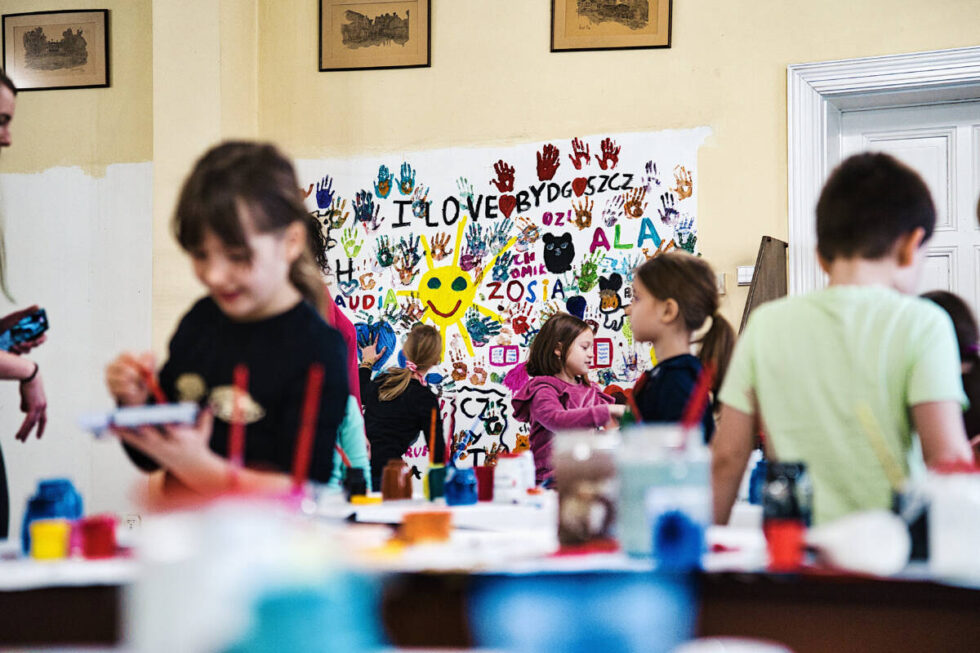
(448, 291)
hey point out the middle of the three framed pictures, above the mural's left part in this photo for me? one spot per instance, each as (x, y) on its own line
(373, 34)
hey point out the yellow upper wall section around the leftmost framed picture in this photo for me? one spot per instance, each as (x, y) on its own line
(91, 128)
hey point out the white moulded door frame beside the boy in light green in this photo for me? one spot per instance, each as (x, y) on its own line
(817, 93)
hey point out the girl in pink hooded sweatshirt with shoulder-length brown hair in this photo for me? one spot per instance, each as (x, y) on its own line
(559, 396)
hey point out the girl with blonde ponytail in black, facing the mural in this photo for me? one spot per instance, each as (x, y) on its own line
(398, 404)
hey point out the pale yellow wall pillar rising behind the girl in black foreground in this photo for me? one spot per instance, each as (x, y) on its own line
(205, 77)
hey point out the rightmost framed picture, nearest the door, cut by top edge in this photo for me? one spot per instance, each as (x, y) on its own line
(609, 24)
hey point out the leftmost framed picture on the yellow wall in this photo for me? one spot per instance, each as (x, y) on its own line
(47, 50)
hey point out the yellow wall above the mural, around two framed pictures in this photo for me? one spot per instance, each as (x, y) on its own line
(494, 80)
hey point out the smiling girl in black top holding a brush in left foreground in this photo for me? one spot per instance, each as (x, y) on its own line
(241, 219)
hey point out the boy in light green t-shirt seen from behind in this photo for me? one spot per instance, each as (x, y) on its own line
(840, 378)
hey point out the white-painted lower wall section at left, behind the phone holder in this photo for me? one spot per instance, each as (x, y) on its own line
(81, 247)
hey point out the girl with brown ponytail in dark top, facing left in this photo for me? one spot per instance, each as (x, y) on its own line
(674, 295)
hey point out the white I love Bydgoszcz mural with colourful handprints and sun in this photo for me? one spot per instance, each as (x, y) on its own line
(486, 243)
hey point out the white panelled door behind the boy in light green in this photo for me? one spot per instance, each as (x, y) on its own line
(942, 143)
